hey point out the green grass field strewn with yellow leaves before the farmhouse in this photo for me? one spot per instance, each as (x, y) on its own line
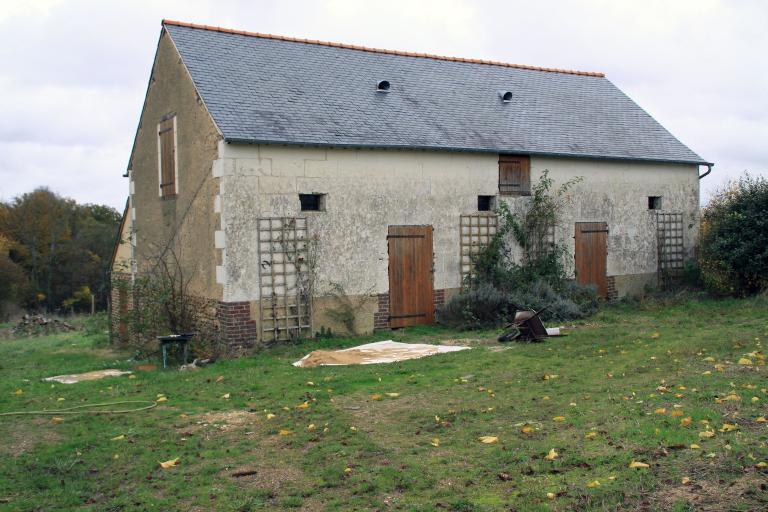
(681, 389)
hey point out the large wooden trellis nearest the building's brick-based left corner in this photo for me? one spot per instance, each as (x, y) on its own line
(284, 279)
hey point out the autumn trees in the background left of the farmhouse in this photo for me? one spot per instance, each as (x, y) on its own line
(54, 253)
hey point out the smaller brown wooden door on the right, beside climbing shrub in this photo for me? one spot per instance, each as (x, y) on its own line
(590, 253)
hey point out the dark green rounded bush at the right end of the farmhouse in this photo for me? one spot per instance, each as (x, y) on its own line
(734, 239)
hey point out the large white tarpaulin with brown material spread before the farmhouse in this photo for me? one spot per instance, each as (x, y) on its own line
(372, 353)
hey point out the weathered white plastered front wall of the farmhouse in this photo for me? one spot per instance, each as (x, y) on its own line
(369, 190)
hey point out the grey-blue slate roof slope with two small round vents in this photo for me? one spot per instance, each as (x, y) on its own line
(262, 88)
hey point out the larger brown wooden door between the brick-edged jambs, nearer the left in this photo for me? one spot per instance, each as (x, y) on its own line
(410, 276)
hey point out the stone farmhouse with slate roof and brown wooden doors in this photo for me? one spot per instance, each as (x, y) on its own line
(288, 174)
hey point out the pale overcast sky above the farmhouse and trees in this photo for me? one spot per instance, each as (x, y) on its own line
(74, 73)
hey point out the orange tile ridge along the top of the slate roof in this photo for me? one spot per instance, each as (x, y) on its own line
(379, 50)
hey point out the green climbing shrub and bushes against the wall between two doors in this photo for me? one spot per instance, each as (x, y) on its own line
(500, 284)
